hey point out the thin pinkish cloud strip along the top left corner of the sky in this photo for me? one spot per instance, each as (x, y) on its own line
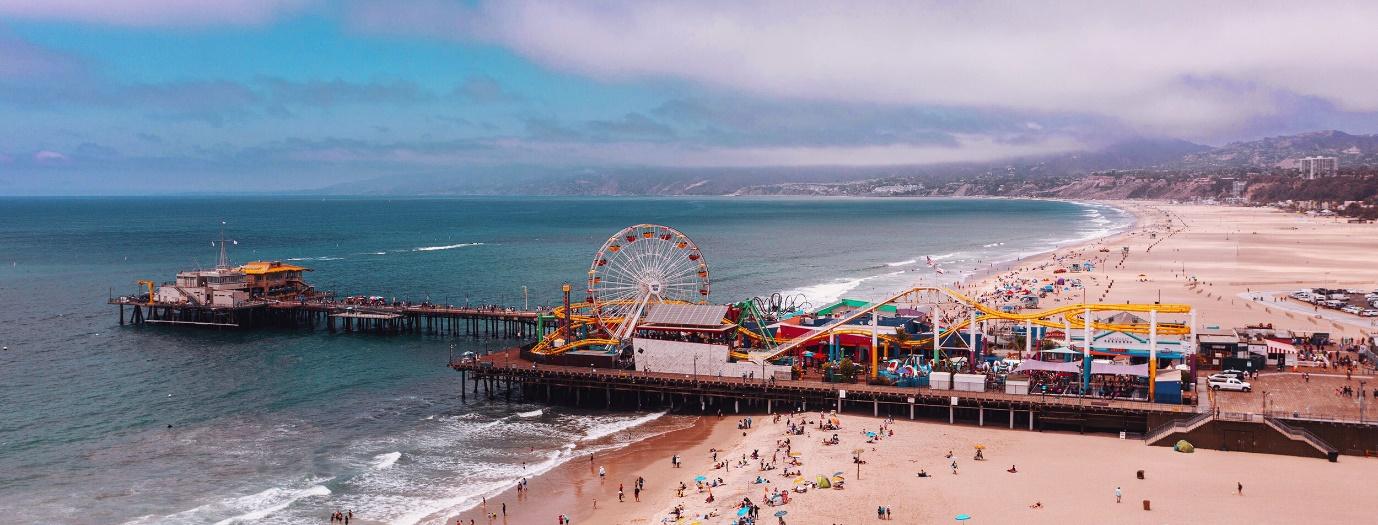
(152, 13)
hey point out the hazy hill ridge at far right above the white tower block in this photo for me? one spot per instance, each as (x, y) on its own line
(1279, 151)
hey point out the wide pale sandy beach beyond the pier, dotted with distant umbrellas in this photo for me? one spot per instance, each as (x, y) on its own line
(1215, 258)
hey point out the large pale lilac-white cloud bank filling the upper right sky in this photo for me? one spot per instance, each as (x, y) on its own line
(1165, 68)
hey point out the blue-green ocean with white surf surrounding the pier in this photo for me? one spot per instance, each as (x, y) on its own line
(152, 425)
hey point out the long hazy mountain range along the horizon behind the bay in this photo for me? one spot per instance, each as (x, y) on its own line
(1143, 169)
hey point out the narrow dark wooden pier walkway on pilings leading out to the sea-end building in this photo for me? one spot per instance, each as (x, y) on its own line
(341, 318)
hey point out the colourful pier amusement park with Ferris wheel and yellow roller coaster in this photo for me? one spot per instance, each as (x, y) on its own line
(647, 307)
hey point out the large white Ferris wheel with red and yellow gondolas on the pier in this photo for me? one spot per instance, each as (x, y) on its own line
(644, 265)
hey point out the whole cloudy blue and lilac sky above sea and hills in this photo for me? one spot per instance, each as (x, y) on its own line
(104, 97)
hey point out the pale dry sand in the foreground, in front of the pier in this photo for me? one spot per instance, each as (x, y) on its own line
(1073, 476)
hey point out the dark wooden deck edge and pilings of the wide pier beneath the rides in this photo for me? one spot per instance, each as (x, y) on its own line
(709, 395)
